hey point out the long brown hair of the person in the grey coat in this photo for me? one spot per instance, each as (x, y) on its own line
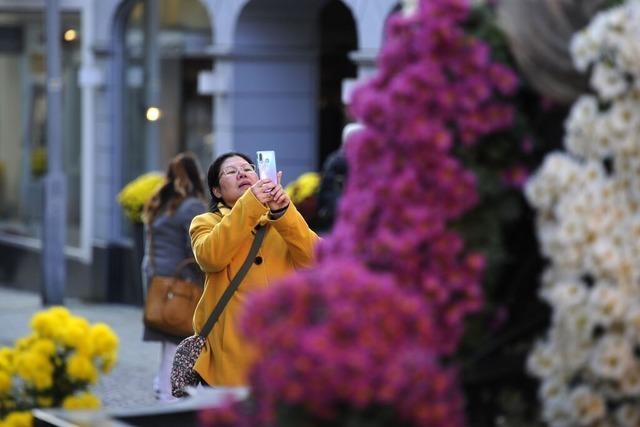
(184, 179)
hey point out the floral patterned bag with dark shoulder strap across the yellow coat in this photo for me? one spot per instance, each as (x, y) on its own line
(182, 373)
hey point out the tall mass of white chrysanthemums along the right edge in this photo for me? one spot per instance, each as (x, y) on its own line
(589, 229)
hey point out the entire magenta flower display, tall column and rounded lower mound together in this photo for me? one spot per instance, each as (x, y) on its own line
(370, 325)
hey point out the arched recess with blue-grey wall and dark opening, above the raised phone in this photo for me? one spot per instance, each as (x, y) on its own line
(289, 59)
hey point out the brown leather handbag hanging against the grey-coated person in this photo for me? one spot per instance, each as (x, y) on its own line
(171, 300)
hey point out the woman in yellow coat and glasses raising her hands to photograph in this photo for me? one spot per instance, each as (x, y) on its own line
(221, 240)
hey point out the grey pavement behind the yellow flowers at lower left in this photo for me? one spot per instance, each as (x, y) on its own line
(130, 383)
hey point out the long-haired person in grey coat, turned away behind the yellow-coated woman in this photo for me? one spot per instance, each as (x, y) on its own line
(167, 217)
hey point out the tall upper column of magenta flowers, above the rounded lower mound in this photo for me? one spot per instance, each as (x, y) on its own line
(437, 86)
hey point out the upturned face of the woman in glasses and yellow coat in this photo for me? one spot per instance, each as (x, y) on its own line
(236, 176)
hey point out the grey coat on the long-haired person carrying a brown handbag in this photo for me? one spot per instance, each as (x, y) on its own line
(171, 245)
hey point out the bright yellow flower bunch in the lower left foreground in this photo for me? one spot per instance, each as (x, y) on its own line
(54, 366)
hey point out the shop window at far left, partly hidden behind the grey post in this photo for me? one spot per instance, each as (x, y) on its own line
(23, 112)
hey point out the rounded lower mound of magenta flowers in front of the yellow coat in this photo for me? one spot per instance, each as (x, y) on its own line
(342, 333)
